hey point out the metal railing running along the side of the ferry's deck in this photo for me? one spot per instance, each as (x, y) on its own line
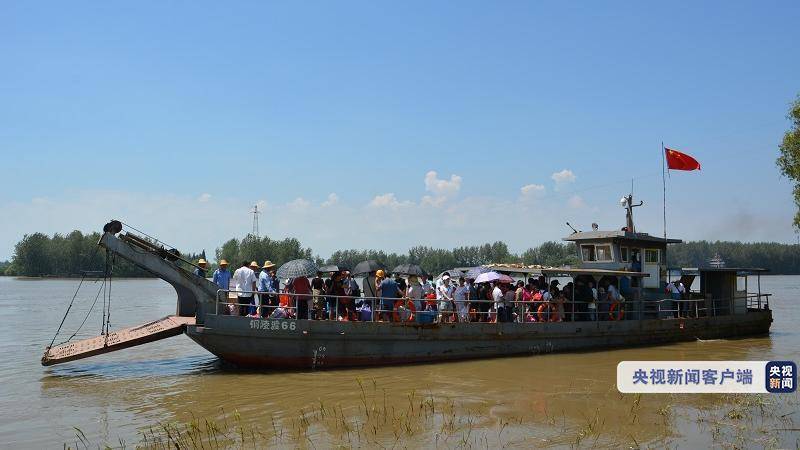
(284, 305)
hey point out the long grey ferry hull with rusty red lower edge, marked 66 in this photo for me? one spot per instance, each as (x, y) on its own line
(303, 344)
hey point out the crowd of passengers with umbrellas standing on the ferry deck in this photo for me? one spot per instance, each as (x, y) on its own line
(339, 296)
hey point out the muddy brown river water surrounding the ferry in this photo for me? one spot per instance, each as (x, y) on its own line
(540, 401)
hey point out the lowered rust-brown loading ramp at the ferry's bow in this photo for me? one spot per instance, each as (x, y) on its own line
(117, 340)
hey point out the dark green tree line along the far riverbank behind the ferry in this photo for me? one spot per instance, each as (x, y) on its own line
(67, 255)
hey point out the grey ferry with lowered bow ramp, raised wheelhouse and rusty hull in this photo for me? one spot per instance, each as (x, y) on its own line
(722, 307)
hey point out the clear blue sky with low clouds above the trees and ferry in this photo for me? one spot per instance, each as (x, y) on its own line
(178, 116)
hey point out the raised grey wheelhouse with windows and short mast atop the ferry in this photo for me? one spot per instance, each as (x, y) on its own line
(624, 250)
